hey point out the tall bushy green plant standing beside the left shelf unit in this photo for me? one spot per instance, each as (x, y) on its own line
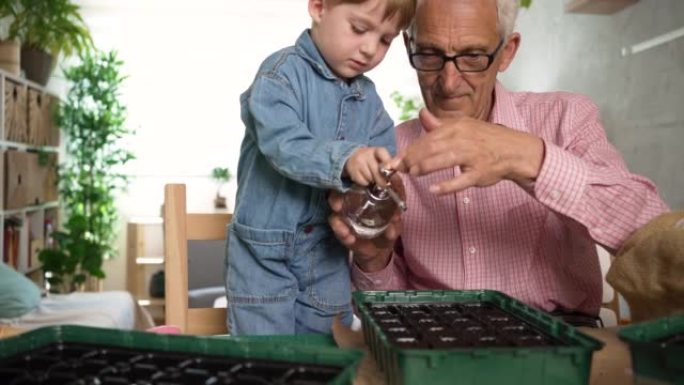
(92, 119)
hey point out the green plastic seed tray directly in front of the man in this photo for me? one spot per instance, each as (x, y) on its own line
(560, 354)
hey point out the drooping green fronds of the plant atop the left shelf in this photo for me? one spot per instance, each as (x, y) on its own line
(53, 26)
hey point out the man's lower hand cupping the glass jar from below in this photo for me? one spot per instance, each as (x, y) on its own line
(369, 254)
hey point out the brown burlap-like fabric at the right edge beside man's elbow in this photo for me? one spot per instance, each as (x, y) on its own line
(649, 269)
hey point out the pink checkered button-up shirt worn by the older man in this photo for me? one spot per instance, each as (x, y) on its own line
(537, 243)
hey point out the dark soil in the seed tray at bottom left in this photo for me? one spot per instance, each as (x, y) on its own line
(79, 364)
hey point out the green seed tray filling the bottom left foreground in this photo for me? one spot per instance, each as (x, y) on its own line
(73, 355)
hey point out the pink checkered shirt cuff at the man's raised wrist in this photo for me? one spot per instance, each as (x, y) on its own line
(562, 179)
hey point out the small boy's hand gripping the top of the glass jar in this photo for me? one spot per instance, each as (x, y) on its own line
(363, 166)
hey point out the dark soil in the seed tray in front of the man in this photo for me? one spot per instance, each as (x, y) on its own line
(455, 325)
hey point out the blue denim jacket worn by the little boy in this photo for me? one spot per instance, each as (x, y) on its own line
(301, 125)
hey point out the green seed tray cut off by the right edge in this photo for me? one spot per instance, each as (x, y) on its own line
(657, 349)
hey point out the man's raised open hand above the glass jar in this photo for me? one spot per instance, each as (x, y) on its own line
(486, 153)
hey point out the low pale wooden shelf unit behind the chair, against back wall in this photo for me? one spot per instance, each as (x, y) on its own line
(144, 258)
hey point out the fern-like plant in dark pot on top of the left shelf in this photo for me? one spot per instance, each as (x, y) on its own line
(47, 29)
